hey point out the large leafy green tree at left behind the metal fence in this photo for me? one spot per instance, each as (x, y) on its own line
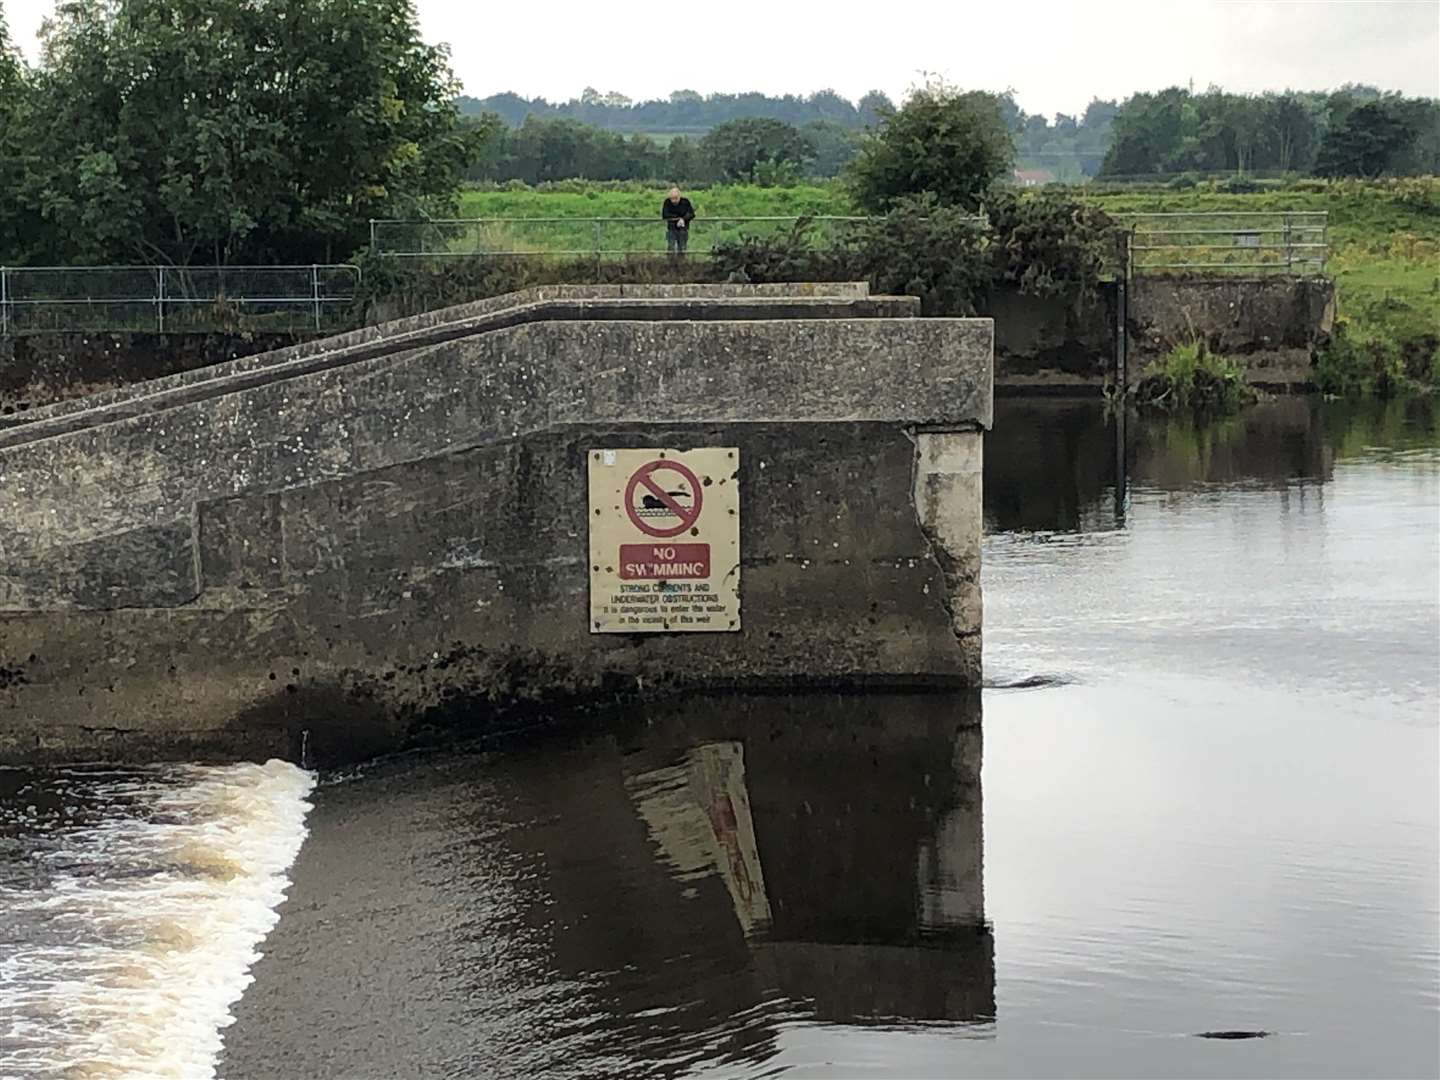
(221, 132)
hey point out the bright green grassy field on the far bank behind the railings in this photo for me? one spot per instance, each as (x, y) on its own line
(1385, 237)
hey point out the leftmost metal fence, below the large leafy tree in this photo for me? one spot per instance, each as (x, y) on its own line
(175, 299)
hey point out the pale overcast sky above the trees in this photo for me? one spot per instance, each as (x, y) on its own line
(1056, 55)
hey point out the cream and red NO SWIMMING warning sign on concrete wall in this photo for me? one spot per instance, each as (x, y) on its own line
(665, 541)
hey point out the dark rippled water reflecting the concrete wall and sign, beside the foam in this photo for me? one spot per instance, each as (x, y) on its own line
(675, 892)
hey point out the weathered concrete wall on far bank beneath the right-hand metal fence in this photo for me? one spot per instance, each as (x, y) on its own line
(1271, 323)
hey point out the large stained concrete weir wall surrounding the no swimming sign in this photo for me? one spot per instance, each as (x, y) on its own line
(352, 542)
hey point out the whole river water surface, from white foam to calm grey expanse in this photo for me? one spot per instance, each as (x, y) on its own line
(1207, 800)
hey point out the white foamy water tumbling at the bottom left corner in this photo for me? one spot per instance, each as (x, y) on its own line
(133, 905)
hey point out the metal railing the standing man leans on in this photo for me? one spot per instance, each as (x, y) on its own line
(581, 237)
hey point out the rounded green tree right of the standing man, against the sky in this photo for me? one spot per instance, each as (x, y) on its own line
(941, 142)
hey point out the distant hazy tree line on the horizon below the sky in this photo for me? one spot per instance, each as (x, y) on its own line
(1350, 132)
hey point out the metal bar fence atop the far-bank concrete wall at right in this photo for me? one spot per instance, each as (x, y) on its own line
(1265, 241)
